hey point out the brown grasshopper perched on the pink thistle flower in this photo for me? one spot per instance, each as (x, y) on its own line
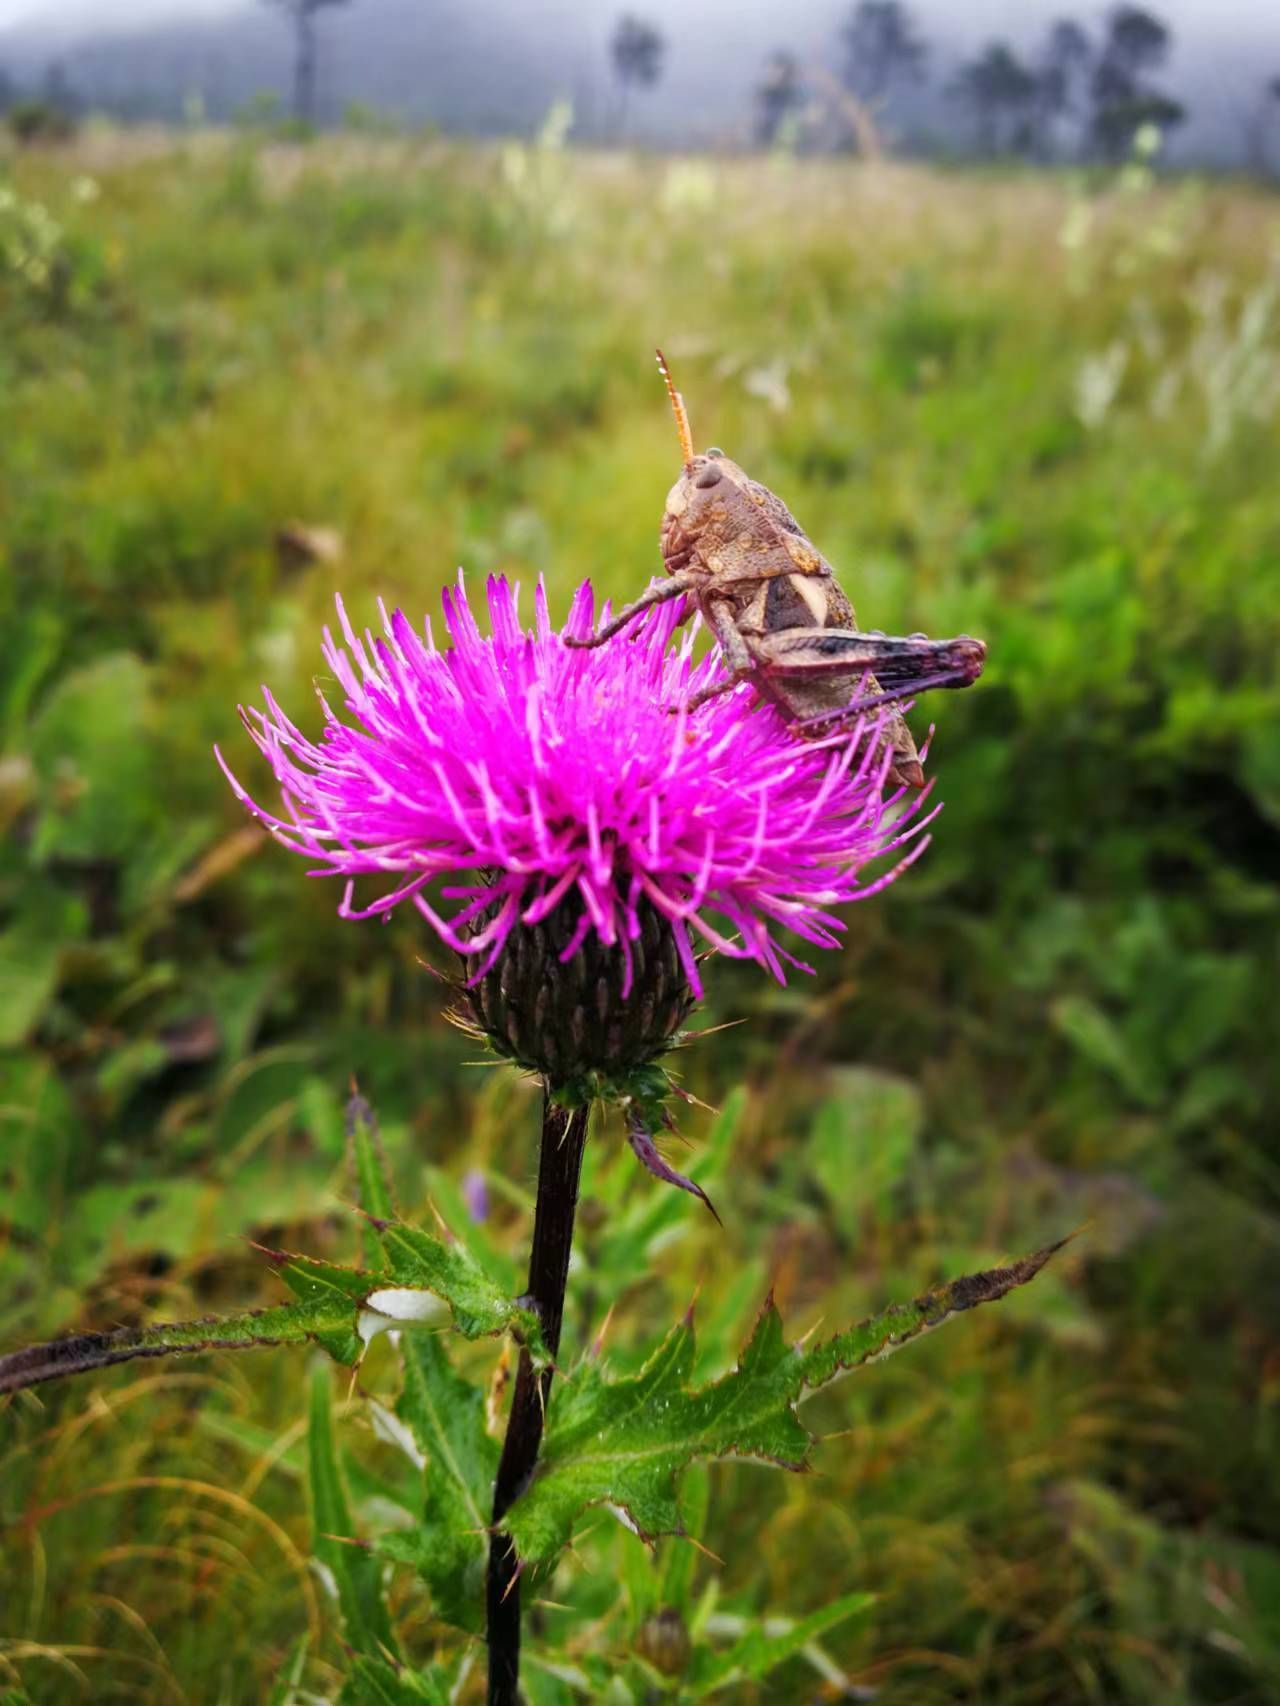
(777, 612)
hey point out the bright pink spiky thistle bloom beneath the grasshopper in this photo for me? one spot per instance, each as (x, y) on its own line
(509, 775)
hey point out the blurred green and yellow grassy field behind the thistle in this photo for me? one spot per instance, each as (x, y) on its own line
(1023, 407)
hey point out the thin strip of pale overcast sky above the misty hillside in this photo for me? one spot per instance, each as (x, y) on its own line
(1206, 20)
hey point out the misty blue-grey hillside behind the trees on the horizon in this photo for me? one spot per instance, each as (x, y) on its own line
(494, 69)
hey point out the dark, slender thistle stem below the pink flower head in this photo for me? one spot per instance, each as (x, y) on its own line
(559, 1171)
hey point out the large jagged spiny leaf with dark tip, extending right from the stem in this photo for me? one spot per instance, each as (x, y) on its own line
(625, 1442)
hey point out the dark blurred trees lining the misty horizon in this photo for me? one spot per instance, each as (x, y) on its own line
(1079, 95)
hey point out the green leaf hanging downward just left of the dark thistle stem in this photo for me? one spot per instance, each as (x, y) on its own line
(446, 1417)
